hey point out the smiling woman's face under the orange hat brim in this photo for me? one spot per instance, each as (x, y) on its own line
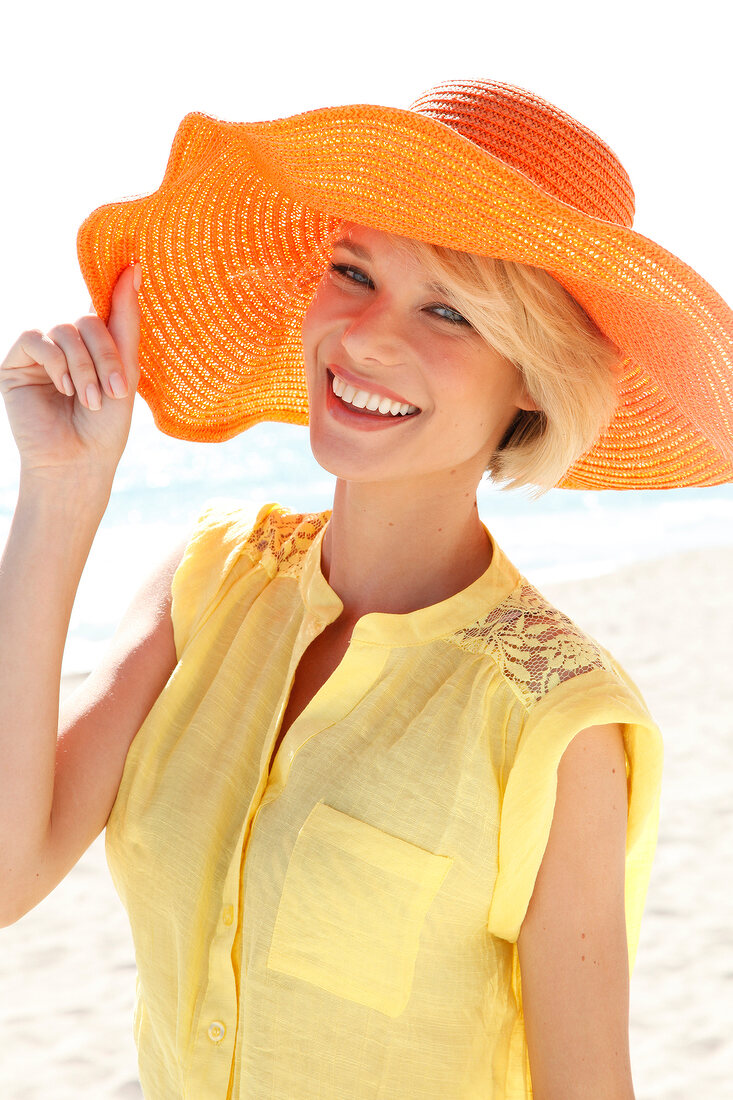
(380, 334)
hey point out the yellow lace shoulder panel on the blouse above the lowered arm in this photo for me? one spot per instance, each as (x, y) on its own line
(535, 646)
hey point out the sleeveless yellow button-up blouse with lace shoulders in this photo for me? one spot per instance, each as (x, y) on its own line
(344, 925)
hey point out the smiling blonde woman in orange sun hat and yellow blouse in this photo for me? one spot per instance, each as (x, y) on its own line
(381, 817)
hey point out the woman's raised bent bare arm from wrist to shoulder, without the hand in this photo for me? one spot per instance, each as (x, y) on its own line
(60, 774)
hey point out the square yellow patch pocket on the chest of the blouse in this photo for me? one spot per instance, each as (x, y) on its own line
(354, 903)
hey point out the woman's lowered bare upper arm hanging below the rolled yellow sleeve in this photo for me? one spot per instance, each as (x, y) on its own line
(573, 945)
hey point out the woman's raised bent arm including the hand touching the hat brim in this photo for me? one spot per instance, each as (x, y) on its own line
(69, 395)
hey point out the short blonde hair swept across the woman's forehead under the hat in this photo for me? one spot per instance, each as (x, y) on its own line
(570, 368)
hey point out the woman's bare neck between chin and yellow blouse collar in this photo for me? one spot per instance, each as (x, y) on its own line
(396, 552)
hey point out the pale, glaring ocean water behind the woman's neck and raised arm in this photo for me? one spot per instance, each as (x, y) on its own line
(163, 485)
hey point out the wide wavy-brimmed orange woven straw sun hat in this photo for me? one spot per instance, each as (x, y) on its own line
(237, 237)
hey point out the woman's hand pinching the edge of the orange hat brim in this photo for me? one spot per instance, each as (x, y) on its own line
(70, 392)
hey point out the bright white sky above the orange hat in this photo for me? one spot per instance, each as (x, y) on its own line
(93, 94)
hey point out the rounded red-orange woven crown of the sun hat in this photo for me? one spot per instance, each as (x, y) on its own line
(564, 158)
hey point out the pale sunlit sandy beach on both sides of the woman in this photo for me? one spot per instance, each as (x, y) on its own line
(68, 969)
